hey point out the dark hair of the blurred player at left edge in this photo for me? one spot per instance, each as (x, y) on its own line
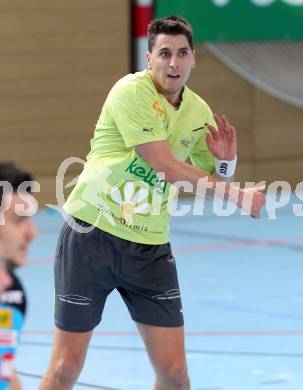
(14, 175)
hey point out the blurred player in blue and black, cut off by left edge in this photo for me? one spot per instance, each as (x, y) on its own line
(16, 233)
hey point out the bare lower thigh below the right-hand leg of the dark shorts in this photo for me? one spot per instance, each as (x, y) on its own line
(165, 346)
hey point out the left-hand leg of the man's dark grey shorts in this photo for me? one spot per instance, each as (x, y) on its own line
(83, 278)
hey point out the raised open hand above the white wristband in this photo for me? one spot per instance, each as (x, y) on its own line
(222, 142)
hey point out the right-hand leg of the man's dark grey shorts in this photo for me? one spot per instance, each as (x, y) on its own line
(149, 285)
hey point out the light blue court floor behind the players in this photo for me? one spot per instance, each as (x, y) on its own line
(241, 282)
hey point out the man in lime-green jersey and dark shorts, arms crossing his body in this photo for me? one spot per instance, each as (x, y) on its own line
(117, 233)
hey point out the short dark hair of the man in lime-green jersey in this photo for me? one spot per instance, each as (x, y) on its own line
(171, 25)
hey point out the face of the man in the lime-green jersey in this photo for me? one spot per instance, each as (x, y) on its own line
(171, 61)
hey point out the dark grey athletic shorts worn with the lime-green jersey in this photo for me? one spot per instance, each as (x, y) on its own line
(89, 266)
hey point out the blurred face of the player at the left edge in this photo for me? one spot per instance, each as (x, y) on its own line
(17, 232)
